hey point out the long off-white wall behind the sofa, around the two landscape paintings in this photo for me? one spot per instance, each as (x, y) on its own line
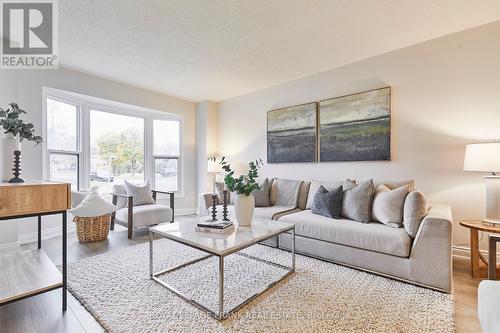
(446, 93)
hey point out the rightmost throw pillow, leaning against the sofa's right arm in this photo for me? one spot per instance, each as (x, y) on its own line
(415, 209)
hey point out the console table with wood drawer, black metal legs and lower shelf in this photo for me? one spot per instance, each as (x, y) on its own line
(29, 273)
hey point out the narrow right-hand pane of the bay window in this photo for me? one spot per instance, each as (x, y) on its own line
(166, 154)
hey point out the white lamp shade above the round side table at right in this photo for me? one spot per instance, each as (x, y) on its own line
(482, 157)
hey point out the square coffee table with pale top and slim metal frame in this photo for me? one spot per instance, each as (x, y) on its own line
(221, 246)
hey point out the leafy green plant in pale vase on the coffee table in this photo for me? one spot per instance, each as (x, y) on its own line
(243, 186)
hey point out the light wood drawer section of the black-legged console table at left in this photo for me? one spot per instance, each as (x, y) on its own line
(30, 198)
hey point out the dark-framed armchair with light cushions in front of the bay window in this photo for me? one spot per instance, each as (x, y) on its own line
(139, 216)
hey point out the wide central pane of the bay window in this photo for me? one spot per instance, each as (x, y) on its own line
(116, 149)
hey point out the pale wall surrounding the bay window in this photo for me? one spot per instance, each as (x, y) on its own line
(25, 88)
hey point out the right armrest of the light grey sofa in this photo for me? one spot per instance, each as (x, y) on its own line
(431, 254)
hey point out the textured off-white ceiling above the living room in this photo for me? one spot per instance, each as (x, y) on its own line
(215, 49)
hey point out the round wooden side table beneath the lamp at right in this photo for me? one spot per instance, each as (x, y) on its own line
(479, 265)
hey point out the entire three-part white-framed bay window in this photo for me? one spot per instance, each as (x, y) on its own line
(95, 143)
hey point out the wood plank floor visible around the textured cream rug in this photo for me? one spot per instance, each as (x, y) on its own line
(42, 313)
